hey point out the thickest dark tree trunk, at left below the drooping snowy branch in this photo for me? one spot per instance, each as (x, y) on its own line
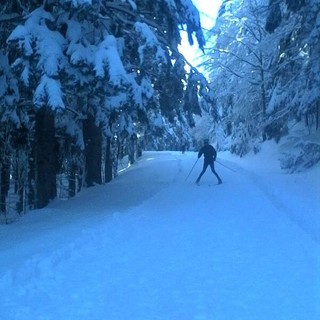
(45, 158)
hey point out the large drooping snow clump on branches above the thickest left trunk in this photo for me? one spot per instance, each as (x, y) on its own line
(48, 45)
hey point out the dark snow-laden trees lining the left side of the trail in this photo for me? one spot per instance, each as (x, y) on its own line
(85, 84)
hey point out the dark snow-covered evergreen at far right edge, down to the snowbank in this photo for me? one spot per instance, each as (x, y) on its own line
(295, 97)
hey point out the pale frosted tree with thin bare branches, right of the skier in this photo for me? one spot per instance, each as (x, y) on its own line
(237, 63)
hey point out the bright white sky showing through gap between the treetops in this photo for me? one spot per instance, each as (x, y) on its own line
(208, 10)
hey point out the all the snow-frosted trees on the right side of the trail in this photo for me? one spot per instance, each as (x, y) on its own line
(264, 64)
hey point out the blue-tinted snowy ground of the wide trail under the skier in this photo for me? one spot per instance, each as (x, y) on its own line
(151, 246)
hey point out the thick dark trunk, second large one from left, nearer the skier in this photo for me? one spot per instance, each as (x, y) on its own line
(93, 144)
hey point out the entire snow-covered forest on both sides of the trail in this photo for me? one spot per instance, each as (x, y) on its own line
(88, 84)
